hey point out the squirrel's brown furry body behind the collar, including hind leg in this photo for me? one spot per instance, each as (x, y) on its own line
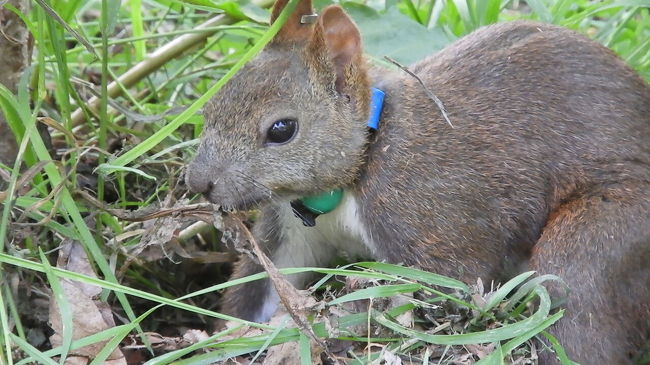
(547, 168)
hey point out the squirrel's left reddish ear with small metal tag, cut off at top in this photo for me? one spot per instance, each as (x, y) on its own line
(293, 30)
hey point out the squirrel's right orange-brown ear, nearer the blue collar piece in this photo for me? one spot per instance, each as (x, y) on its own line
(343, 42)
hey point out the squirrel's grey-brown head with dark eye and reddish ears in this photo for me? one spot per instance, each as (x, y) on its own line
(292, 122)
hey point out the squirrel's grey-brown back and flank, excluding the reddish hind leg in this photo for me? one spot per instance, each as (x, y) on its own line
(540, 114)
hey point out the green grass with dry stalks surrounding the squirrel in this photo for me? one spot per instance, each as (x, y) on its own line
(106, 77)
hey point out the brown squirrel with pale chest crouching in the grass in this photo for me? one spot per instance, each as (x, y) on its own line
(546, 168)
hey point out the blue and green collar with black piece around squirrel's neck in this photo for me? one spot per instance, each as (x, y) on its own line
(309, 207)
